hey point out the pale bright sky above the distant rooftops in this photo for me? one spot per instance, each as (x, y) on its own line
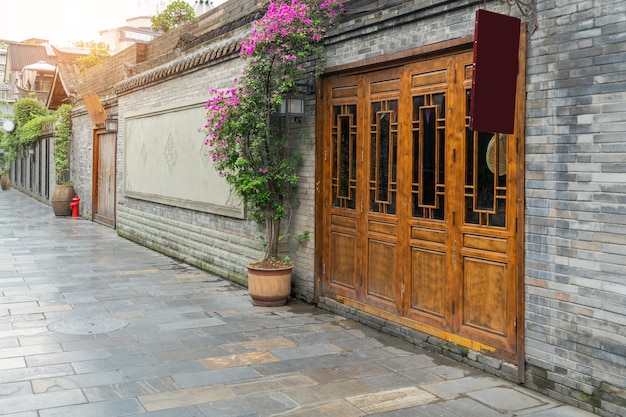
(63, 22)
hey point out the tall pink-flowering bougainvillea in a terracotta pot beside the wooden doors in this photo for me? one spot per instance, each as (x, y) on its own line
(248, 141)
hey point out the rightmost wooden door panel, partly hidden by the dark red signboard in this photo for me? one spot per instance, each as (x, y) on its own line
(488, 303)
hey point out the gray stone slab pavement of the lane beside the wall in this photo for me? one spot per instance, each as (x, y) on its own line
(94, 325)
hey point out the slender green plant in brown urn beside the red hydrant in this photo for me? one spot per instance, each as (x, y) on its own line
(63, 192)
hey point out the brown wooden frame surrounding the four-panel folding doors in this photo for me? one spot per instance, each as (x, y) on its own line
(322, 203)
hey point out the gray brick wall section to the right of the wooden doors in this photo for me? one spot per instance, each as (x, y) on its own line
(575, 195)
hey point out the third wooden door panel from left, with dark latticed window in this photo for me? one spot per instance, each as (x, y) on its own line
(429, 147)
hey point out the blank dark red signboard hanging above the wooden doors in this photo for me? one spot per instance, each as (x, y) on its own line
(496, 46)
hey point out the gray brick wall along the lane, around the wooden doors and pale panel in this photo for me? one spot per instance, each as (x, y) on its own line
(575, 175)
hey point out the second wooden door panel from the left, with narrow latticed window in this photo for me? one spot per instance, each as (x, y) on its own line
(382, 271)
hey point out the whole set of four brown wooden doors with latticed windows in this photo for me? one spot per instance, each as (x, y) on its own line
(420, 213)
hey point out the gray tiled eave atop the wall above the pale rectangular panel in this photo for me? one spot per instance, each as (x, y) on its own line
(202, 57)
